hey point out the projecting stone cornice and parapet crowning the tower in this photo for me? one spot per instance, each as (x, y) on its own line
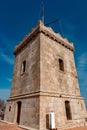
(40, 28)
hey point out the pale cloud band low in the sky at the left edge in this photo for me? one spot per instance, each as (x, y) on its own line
(4, 94)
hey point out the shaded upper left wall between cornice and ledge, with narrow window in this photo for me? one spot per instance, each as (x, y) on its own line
(29, 81)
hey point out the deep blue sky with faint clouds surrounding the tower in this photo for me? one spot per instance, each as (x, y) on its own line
(18, 17)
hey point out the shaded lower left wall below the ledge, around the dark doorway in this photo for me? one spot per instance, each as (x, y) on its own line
(29, 112)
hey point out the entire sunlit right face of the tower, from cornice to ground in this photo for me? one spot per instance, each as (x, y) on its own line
(58, 86)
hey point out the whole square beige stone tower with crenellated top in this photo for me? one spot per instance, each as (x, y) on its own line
(44, 81)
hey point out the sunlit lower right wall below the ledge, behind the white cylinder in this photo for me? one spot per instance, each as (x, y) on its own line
(57, 105)
